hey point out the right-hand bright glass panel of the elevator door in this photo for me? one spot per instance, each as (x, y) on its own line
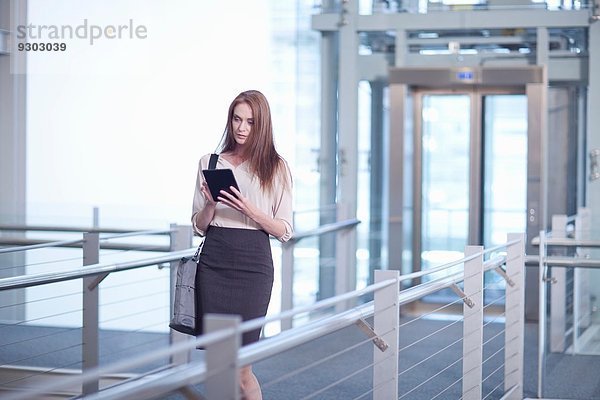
(505, 175)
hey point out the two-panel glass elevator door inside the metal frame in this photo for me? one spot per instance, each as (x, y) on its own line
(470, 157)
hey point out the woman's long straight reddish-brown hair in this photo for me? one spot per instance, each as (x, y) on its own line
(263, 159)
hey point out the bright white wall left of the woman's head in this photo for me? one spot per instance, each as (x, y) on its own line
(120, 124)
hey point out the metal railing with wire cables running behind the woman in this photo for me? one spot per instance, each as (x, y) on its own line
(93, 273)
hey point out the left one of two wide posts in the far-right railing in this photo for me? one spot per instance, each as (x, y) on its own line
(558, 291)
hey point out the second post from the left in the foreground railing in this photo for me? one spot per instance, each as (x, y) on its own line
(386, 325)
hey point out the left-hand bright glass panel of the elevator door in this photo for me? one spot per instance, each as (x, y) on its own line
(445, 210)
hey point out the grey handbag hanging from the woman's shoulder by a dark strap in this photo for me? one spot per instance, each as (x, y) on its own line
(184, 304)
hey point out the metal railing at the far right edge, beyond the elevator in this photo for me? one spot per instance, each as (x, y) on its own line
(565, 296)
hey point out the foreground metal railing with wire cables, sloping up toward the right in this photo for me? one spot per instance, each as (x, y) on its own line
(218, 371)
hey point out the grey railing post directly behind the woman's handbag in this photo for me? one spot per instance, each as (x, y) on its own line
(180, 238)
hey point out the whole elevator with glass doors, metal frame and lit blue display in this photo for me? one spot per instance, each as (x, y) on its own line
(469, 146)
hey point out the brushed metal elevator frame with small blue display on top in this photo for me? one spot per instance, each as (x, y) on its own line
(529, 80)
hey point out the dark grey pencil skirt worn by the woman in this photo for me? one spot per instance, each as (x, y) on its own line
(235, 276)
